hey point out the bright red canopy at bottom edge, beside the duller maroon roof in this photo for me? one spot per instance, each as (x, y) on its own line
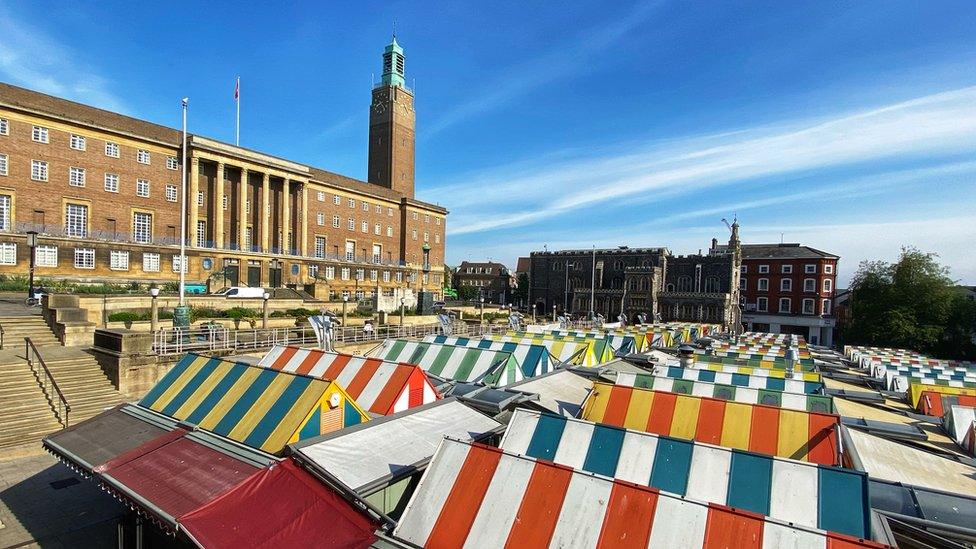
(281, 506)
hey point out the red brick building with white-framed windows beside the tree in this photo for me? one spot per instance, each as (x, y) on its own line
(788, 288)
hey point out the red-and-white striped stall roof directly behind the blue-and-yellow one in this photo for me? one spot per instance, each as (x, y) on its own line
(380, 386)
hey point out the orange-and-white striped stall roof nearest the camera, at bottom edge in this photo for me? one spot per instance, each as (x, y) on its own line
(475, 495)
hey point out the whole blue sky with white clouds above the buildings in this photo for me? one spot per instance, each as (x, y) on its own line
(848, 126)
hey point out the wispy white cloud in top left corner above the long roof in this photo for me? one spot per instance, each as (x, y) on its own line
(34, 59)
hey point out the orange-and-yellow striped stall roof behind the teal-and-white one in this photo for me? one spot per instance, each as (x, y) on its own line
(794, 434)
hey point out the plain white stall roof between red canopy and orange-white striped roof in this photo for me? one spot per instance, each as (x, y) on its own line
(372, 454)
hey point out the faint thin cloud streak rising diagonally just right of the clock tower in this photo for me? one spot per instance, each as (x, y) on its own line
(563, 60)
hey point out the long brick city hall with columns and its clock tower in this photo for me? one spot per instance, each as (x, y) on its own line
(103, 191)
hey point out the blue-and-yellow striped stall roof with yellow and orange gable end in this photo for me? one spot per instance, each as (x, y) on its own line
(261, 408)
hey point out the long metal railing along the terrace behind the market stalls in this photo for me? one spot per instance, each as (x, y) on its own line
(176, 341)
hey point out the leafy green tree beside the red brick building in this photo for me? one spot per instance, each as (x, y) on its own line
(911, 304)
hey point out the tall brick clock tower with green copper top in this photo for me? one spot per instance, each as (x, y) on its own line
(391, 127)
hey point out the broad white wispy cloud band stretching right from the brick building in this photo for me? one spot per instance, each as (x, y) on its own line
(926, 127)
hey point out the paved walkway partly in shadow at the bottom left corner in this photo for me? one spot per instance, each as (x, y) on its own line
(44, 504)
